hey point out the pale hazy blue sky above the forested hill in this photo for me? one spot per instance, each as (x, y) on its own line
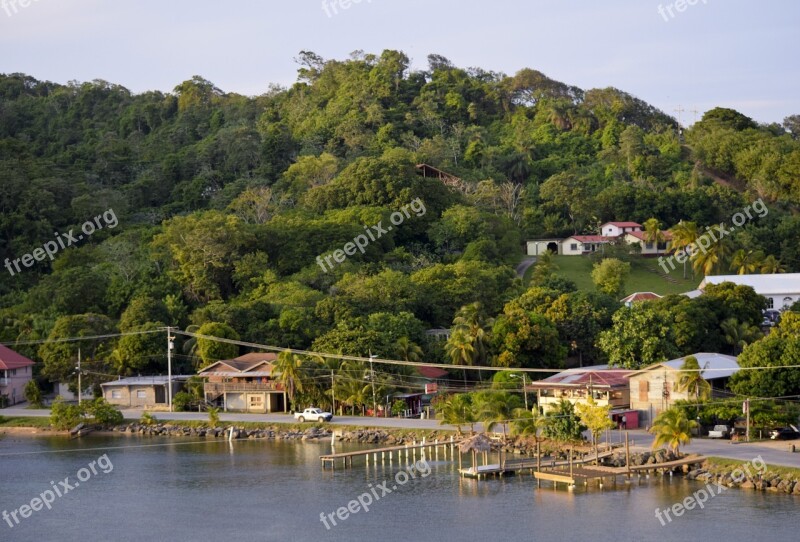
(689, 55)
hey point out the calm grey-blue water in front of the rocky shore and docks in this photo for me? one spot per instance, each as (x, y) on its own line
(262, 490)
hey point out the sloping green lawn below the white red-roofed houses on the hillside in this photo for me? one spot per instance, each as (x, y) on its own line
(642, 278)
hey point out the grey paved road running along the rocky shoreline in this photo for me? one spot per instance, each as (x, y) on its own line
(775, 453)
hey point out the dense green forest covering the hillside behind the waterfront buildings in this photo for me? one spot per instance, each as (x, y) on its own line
(225, 203)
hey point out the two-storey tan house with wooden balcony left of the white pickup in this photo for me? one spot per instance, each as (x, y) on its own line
(244, 384)
